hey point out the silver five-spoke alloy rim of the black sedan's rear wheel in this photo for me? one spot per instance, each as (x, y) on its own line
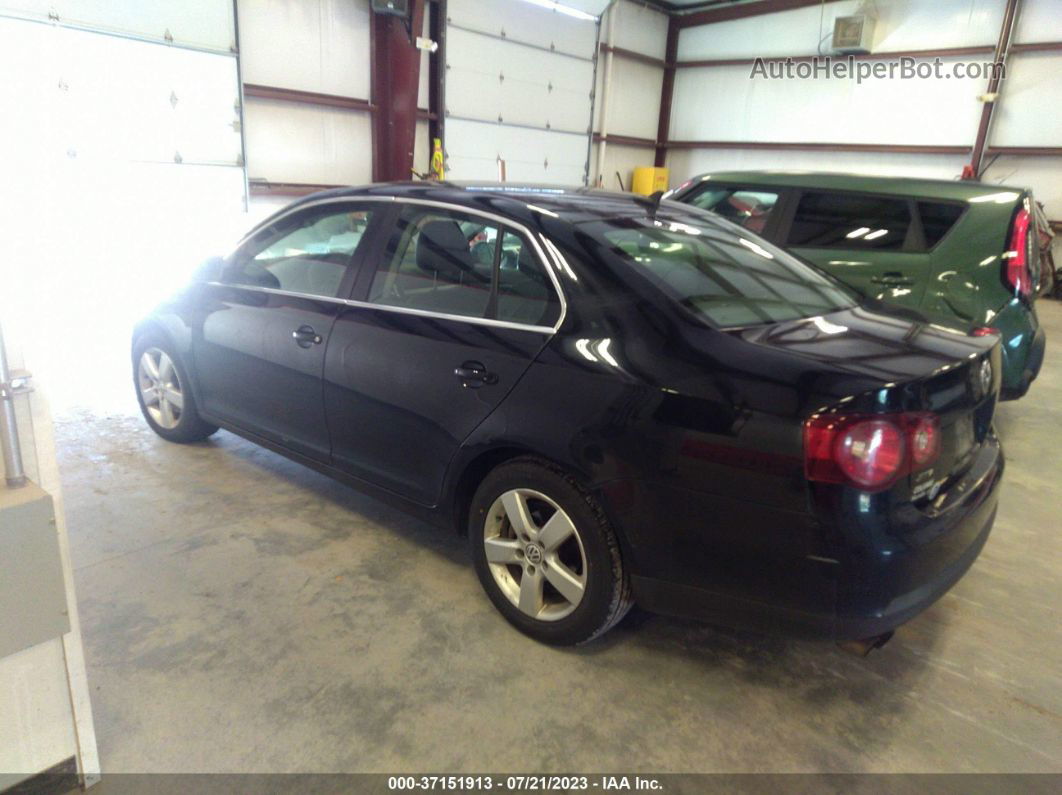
(536, 555)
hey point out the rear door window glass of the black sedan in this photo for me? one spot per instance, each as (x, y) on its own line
(455, 264)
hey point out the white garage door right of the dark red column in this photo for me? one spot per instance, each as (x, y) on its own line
(520, 80)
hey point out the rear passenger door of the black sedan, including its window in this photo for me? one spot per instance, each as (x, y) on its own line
(444, 321)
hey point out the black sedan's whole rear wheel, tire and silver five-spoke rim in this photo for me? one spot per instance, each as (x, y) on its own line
(546, 555)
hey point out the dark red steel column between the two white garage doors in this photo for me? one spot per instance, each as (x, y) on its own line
(397, 74)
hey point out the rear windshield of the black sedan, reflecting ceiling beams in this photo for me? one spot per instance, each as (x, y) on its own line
(721, 274)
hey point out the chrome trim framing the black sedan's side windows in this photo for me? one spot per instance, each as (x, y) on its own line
(543, 261)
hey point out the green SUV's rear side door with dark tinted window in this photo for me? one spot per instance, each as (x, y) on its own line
(873, 244)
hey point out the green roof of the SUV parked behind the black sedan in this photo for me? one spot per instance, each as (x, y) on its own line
(901, 186)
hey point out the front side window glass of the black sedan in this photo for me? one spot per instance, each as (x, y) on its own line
(311, 258)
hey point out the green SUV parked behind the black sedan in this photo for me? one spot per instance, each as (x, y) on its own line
(963, 254)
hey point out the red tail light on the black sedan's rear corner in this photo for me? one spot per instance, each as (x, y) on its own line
(869, 452)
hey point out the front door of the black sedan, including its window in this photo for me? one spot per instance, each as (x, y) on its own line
(261, 343)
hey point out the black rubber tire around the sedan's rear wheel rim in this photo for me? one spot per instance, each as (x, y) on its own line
(607, 592)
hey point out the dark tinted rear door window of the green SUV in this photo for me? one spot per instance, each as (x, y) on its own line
(850, 221)
